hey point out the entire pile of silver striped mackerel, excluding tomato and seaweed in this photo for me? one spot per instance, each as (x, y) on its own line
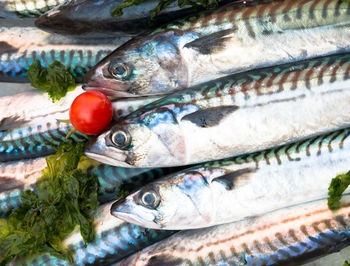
(265, 81)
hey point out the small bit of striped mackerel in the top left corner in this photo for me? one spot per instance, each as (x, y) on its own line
(26, 8)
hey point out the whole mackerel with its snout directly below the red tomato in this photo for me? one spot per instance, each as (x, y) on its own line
(233, 115)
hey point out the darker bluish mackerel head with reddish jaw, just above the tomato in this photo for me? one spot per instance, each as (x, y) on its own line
(141, 66)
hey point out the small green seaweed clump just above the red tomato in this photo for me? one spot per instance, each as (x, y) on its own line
(55, 79)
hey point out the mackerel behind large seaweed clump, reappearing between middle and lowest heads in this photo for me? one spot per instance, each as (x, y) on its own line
(17, 176)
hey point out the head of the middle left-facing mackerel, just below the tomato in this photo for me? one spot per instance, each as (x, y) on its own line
(154, 139)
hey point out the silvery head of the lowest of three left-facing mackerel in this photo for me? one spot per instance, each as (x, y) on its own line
(174, 203)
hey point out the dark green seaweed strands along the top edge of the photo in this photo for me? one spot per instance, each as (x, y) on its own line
(118, 10)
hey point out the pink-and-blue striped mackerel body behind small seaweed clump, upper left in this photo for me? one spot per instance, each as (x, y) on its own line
(20, 46)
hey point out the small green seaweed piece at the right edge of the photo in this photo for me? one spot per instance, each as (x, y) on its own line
(336, 189)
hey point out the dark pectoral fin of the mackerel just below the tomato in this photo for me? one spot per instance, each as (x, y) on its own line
(210, 117)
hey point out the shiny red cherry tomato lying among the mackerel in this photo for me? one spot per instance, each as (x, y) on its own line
(91, 112)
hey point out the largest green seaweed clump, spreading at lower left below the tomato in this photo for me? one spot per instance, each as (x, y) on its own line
(65, 198)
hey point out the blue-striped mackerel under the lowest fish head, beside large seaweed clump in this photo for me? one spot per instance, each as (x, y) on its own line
(114, 240)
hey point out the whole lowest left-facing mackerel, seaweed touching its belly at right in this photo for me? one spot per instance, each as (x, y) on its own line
(230, 190)
